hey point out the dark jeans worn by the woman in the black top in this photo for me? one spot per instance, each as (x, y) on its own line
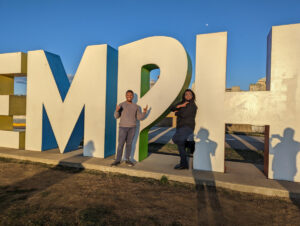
(180, 138)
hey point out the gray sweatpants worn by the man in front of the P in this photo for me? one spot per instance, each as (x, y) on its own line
(126, 134)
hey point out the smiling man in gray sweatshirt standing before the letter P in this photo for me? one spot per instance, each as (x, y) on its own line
(129, 113)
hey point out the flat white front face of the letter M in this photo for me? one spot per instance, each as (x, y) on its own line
(88, 89)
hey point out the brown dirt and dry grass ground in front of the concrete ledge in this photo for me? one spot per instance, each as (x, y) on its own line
(36, 194)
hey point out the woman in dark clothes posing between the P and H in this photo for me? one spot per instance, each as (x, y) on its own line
(186, 113)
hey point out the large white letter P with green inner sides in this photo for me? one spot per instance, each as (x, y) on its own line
(136, 60)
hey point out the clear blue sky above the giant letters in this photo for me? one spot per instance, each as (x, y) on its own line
(66, 27)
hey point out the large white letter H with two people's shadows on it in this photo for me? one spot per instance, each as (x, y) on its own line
(279, 108)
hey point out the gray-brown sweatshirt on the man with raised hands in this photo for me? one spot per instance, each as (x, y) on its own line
(129, 113)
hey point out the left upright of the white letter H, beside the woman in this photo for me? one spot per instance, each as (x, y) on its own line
(210, 91)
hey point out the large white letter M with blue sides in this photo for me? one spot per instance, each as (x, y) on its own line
(59, 114)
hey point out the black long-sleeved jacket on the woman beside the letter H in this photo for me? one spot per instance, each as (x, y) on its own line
(185, 115)
